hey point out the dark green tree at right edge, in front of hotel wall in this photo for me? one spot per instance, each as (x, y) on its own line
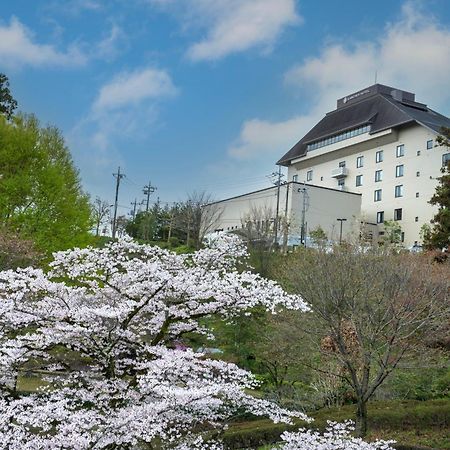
(439, 236)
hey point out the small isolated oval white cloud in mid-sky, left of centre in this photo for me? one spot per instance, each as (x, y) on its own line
(131, 88)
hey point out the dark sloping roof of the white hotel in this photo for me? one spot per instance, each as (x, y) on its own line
(380, 106)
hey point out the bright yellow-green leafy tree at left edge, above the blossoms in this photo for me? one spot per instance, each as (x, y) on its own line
(40, 193)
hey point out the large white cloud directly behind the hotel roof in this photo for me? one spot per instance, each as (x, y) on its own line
(411, 54)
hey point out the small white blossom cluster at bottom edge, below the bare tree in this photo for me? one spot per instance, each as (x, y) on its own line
(336, 437)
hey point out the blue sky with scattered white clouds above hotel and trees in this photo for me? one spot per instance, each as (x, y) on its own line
(206, 95)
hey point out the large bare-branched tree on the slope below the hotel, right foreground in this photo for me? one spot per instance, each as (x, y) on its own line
(371, 311)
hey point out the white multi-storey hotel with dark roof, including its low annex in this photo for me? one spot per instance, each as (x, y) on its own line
(374, 158)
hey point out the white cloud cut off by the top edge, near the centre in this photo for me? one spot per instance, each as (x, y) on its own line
(232, 26)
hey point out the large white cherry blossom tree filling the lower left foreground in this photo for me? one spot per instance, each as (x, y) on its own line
(101, 329)
